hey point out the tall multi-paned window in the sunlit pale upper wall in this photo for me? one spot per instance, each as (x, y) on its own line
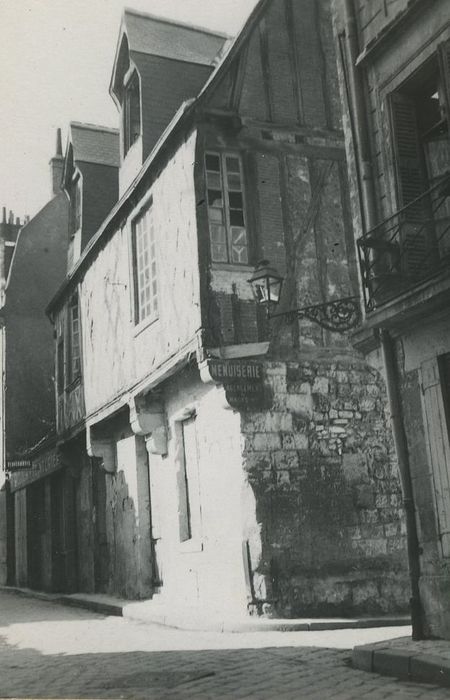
(148, 311)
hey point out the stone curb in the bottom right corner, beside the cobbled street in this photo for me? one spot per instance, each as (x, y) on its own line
(403, 663)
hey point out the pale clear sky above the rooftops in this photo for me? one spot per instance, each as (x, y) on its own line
(56, 59)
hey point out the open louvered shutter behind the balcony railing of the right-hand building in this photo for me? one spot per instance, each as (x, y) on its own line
(411, 182)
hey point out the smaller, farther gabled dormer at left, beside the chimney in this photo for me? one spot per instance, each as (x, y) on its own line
(90, 181)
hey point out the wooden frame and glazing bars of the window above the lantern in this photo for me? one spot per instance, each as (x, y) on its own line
(226, 208)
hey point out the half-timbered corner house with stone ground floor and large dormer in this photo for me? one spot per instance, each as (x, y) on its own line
(218, 463)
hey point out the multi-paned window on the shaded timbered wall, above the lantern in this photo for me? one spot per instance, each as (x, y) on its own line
(226, 209)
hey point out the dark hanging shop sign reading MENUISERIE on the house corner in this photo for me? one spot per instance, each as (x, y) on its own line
(243, 382)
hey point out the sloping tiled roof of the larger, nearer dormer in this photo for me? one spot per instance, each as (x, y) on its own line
(168, 39)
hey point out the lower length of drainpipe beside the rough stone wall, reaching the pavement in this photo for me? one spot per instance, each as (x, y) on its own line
(401, 448)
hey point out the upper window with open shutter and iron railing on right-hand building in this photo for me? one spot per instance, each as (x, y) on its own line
(421, 152)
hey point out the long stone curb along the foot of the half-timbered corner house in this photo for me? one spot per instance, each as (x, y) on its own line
(181, 620)
